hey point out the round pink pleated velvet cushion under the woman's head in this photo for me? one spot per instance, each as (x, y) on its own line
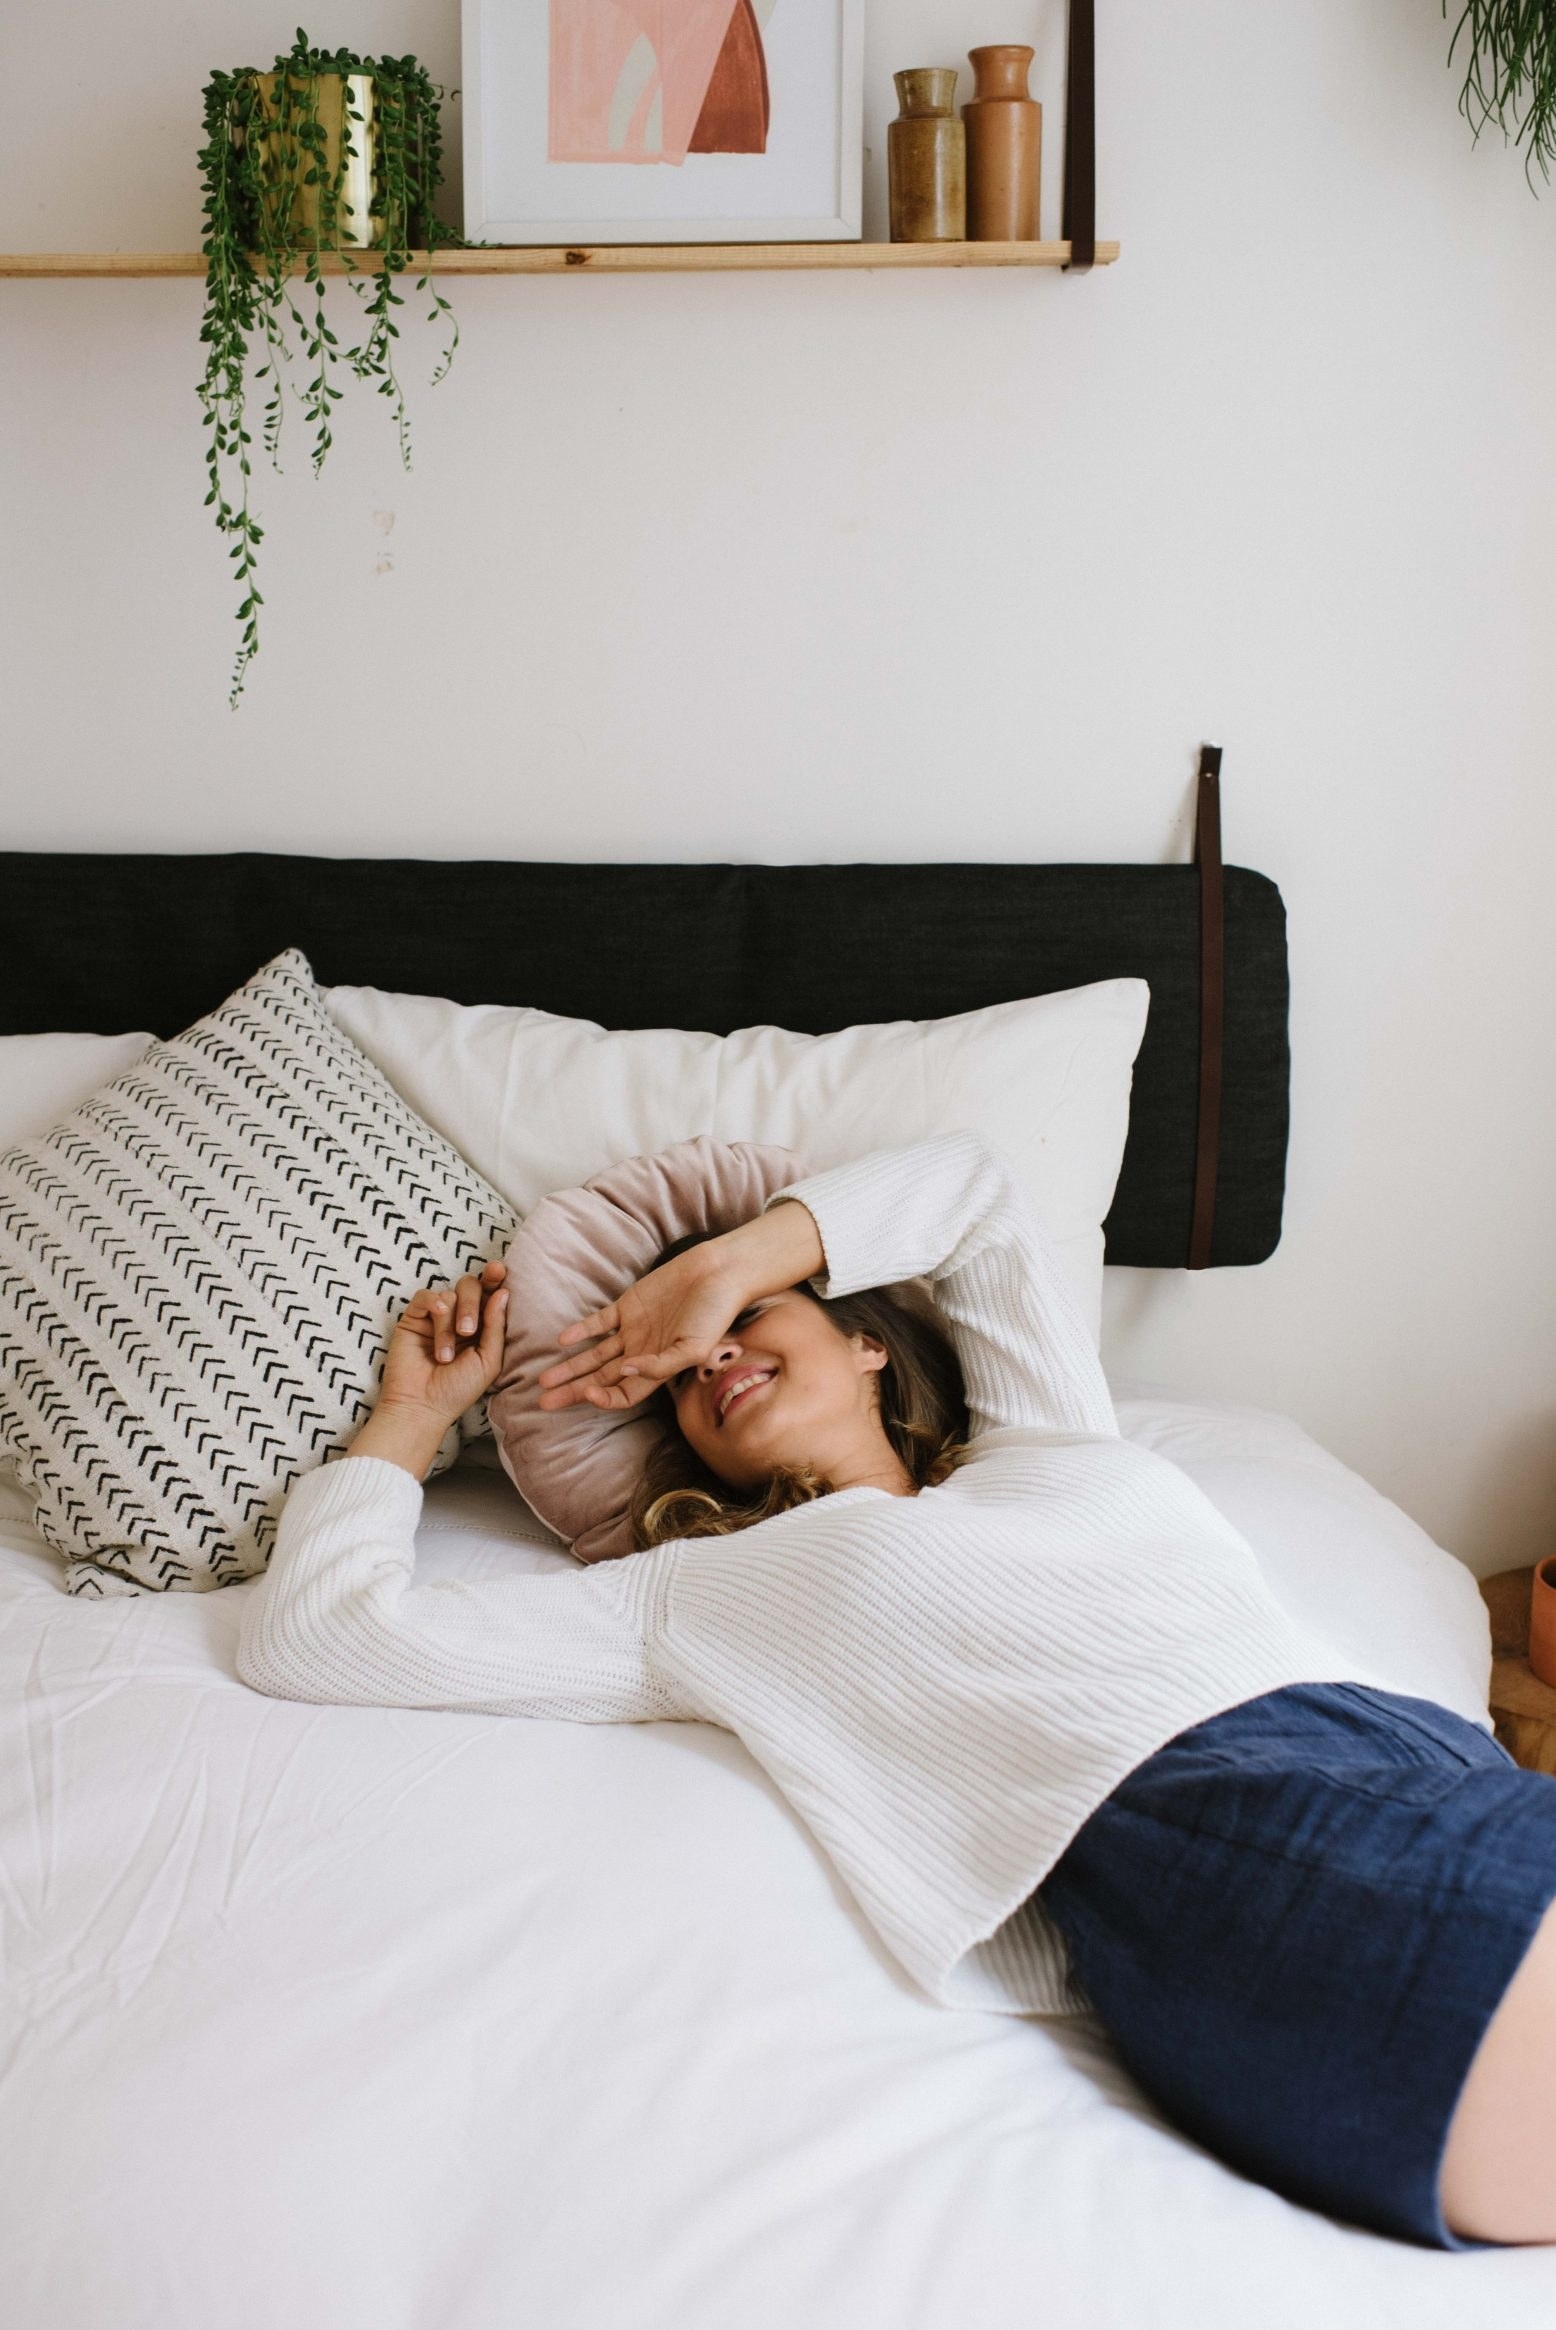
(579, 1250)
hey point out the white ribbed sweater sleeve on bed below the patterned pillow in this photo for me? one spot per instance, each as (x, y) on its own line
(339, 1618)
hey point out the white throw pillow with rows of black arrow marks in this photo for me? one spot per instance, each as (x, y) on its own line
(199, 1271)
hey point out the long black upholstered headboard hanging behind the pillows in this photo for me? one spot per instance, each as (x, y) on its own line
(153, 942)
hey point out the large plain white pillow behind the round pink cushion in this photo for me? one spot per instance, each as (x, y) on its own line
(542, 1103)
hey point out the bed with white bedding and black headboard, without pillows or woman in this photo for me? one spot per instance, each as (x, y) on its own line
(448, 2024)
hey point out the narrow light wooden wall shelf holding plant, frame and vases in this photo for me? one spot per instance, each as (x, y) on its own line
(607, 260)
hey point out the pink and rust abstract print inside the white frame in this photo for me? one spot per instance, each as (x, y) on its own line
(658, 80)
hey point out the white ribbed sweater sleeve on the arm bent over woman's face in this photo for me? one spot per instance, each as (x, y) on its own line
(949, 1210)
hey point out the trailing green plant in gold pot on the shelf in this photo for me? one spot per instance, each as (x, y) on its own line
(276, 174)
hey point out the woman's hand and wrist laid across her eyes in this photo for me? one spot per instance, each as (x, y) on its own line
(679, 1313)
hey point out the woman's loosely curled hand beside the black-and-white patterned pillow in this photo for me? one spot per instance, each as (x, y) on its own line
(444, 1355)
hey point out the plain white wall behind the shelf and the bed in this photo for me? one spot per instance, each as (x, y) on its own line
(919, 567)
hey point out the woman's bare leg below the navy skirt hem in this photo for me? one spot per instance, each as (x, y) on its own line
(1499, 2170)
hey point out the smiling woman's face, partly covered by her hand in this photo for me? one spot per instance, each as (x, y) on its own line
(779, 1392)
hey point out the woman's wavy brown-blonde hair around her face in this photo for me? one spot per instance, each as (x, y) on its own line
(924, 1411)
